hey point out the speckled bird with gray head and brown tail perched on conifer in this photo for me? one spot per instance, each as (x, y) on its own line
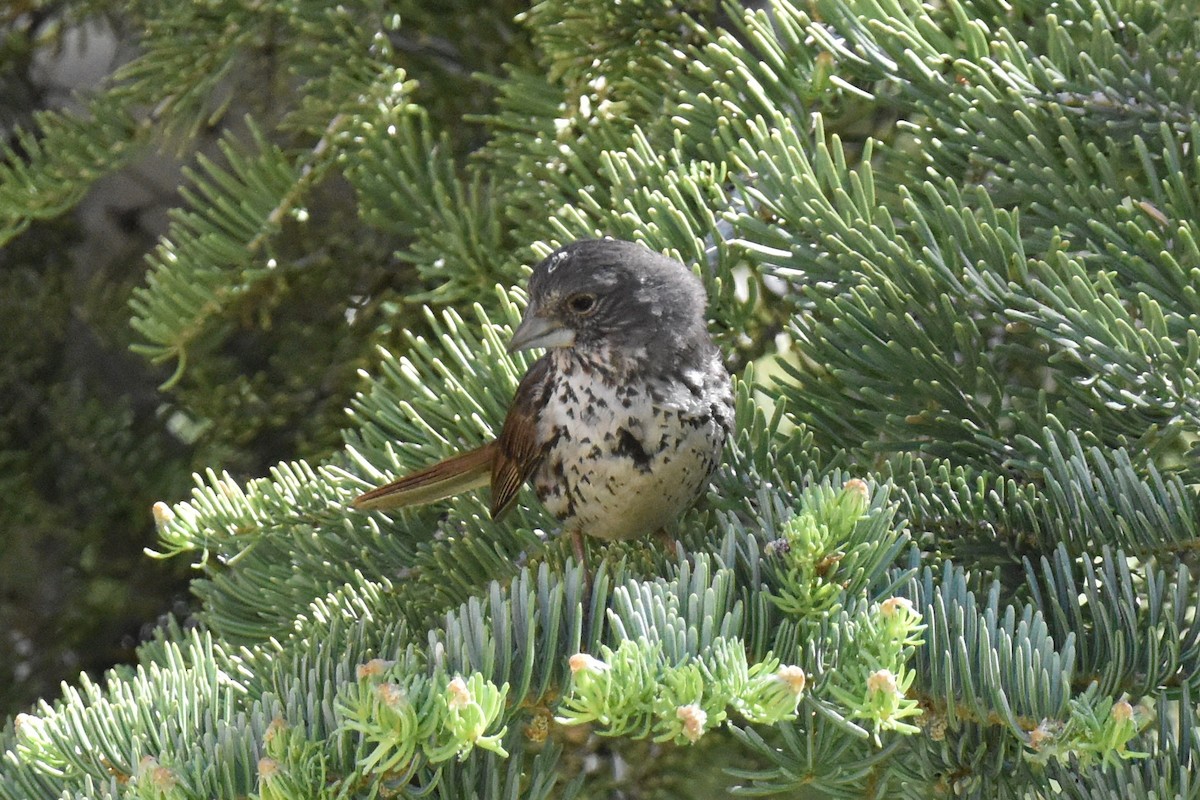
(621, 424)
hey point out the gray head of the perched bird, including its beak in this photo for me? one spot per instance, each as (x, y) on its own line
(607, 293)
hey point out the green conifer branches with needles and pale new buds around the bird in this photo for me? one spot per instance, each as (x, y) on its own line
(952, 254)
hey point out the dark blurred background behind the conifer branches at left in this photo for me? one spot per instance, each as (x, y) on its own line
(88, 440)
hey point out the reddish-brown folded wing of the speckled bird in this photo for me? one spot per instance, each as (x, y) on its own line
(520, 448)
